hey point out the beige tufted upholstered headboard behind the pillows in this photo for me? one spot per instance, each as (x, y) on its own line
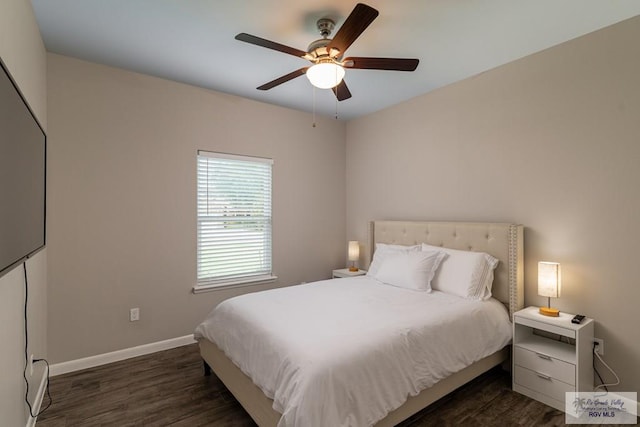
(501, 240)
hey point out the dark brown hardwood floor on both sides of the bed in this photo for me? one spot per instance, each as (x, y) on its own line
(168, 388)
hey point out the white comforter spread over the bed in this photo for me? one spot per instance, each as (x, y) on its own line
(346, 352)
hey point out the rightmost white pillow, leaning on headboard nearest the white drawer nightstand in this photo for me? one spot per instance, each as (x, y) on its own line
(463, 273)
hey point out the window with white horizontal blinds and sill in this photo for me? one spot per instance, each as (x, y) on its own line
(234, 220)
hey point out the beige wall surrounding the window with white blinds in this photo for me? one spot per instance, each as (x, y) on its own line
(122, 201)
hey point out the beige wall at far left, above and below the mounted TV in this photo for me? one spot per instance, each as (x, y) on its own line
(22, 51)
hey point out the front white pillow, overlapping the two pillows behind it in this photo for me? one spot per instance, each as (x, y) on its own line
(411, 270)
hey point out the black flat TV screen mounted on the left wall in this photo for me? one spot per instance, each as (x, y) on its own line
(22, 177)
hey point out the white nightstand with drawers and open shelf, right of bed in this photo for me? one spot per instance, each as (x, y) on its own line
(551, 356)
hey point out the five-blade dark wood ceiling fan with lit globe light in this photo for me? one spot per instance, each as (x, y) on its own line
(327, 55)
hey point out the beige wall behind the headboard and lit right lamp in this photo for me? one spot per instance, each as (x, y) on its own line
(551, 141)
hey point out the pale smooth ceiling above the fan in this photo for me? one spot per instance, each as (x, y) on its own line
(192, 41)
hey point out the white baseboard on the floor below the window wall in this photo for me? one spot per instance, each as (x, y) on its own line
(115, 356)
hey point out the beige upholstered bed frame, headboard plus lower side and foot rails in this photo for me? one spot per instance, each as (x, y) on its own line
(503, 241)
